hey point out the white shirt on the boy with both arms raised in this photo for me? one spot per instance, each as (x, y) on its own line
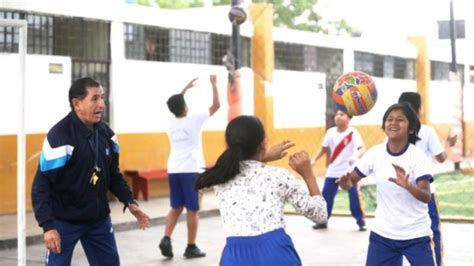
(184, 135)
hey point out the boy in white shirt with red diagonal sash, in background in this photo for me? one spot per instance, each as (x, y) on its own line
(345, 145)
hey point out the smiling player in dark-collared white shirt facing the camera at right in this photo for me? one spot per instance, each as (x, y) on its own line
(402, 224)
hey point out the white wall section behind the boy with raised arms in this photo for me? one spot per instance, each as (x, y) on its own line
(141, 89)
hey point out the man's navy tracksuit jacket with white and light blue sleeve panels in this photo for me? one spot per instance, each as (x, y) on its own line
(62, 187)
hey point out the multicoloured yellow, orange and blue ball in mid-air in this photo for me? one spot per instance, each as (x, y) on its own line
(354, 93)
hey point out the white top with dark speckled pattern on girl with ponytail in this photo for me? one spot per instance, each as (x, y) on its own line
(252, 203)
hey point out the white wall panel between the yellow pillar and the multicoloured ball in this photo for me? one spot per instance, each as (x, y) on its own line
(299, 99)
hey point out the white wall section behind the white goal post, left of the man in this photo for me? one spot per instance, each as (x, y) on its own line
(46, 94)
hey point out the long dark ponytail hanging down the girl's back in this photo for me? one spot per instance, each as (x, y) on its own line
(226, 168)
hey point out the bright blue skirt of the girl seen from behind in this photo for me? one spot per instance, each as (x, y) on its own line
(273, 248)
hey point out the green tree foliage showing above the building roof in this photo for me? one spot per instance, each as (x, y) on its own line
(293, 14)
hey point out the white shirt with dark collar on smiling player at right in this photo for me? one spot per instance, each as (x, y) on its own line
(399, 215)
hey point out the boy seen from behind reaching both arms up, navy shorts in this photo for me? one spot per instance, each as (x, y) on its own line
(184, 163)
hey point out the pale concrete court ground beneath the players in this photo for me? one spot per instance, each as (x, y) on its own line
(341, 244)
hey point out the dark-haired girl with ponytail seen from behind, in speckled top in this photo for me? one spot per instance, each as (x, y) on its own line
(252, 196)
